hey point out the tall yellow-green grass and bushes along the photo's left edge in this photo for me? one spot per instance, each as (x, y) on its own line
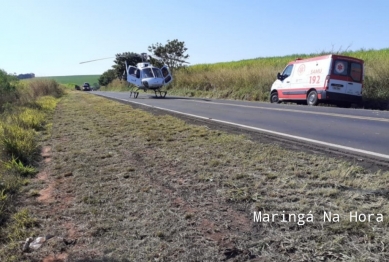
(25, 108)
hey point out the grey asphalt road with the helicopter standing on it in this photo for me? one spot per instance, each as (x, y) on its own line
(358, 130)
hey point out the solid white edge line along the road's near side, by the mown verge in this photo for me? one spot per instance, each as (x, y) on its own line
(267, 131)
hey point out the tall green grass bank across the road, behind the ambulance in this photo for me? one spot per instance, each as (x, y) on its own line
(251, 79)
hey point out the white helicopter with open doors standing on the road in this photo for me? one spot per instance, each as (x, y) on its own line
(145, 76)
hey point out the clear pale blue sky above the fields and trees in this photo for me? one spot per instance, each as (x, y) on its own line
(52, 37)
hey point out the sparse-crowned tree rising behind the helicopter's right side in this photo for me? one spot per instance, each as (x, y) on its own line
(173, 53)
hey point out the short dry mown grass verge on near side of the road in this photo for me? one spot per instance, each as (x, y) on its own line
(130, 186)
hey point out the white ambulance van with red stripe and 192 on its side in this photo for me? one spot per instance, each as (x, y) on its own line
(332, 79)
